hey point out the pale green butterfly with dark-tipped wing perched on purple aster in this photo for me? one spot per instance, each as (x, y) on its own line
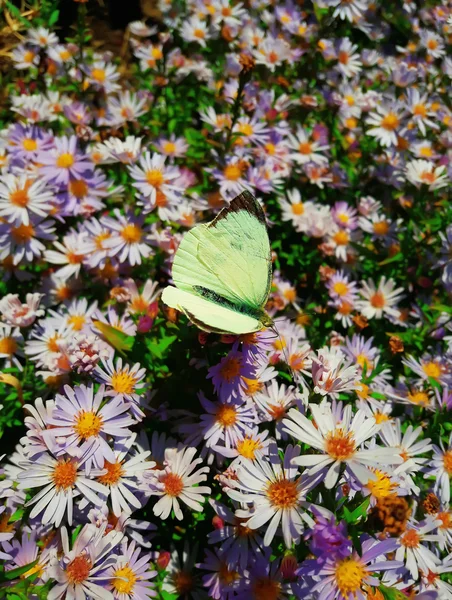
(222, 271)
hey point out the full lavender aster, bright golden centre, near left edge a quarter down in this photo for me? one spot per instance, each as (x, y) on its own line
(64, 161)
